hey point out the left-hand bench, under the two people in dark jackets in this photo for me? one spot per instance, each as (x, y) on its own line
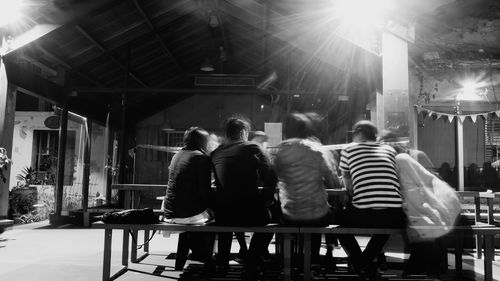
(108, 228)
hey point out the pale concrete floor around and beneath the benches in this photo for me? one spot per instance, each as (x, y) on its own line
(40, 252)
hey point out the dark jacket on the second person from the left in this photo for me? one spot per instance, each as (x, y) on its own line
(240, 168)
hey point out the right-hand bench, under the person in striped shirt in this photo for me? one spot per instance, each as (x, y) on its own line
(482, 230)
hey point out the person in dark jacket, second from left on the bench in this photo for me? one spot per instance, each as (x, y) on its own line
(240, 167)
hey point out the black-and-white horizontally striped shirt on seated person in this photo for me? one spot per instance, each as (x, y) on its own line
(372, 167)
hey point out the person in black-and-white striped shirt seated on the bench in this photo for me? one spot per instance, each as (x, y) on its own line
(370, 176)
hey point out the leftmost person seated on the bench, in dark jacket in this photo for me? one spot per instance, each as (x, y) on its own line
(188, 192)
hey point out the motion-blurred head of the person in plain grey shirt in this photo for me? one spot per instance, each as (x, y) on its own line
(302, 125)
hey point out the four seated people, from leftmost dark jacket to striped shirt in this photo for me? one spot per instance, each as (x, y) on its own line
(246, 178)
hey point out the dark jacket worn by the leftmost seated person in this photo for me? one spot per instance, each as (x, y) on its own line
(188, 185)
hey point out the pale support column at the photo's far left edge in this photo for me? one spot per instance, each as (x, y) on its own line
(7, 116)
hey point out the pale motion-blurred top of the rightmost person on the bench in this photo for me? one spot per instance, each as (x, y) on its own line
(431, 205)
